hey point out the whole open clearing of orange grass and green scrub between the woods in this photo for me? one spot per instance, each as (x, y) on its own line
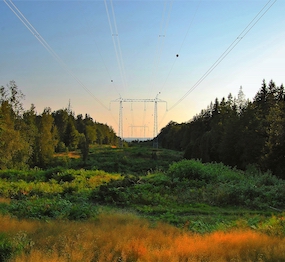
(137, 204)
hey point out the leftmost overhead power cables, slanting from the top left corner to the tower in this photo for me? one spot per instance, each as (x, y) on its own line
(38, 36)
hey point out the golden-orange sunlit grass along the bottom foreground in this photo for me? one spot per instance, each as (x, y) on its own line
(123, 237)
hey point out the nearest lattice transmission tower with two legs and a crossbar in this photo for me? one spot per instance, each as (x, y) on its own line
(147, 100)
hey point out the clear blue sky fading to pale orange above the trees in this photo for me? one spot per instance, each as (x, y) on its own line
(180, 53)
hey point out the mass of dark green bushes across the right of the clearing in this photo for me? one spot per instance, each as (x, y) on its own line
(189, 182)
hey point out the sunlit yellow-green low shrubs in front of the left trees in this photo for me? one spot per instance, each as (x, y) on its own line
(50, 183)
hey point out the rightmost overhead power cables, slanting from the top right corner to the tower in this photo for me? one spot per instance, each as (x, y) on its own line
(253, 22)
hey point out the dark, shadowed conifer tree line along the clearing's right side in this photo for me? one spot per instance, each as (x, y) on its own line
(235, 131)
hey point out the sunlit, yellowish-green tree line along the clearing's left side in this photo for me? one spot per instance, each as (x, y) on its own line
(29, 139)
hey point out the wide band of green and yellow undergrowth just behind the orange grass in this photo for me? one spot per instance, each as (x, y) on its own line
(188, 194)
